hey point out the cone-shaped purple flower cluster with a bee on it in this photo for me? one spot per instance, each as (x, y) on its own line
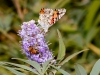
(33, 37)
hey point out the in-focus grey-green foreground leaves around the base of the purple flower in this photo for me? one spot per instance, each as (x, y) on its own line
(41, 69)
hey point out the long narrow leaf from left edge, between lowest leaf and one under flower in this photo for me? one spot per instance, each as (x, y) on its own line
(21, 66)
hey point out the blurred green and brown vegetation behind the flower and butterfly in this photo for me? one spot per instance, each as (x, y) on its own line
(80, 29)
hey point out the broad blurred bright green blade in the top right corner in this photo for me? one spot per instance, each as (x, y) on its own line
(94, 7)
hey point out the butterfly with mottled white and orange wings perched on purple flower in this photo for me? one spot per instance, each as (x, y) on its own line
(48, 17)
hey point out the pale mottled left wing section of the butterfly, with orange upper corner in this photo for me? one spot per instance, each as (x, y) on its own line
(44, 18)
